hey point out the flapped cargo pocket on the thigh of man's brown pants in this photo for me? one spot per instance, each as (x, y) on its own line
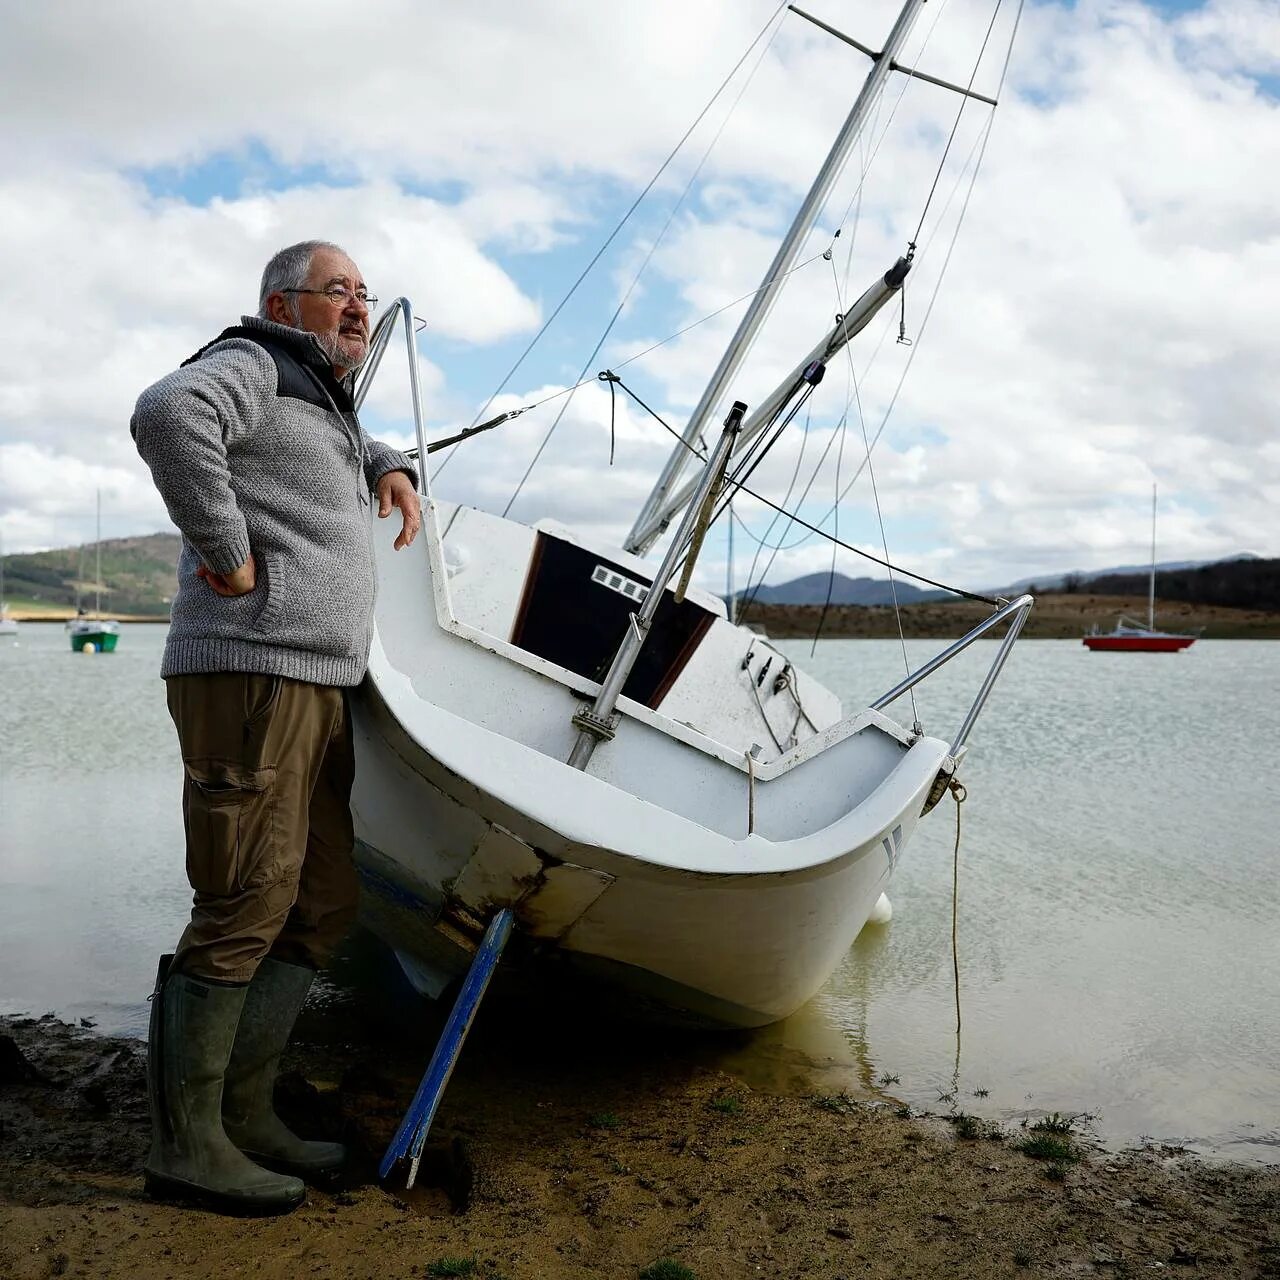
(232, 843)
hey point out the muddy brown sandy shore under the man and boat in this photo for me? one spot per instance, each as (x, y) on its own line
(611, 1151)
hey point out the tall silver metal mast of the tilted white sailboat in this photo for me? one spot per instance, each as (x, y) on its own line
(788, 252)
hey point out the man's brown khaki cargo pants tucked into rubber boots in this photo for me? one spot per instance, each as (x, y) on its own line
(267, 804)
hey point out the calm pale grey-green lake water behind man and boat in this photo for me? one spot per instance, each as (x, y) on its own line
(1119, 898)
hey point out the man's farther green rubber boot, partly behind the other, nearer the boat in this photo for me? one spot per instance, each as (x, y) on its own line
(272, 1008)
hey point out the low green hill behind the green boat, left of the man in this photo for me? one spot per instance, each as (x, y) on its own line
(140, 577)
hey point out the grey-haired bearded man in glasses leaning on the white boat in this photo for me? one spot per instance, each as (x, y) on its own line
(255, 447)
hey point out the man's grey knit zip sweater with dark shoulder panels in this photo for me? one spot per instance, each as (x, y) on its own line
(255, 447)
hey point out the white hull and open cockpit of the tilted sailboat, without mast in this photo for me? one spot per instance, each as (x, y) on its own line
(639, 868)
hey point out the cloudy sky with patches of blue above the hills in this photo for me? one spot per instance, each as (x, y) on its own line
(1098, 316)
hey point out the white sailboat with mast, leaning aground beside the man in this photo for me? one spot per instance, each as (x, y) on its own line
(665, 801)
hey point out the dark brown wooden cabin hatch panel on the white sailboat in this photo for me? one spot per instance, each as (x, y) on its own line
(575, 609)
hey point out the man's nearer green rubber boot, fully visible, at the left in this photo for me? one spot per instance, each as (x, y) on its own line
(193, 1160)
